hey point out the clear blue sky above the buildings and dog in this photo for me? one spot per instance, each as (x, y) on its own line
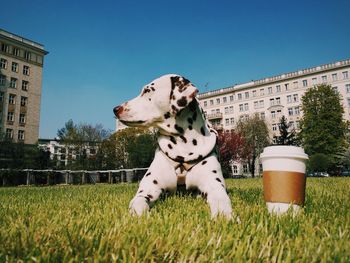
(102, 52)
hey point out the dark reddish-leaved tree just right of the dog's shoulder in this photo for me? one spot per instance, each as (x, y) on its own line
(231, 146)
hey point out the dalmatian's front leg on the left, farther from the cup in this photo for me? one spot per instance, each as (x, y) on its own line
(159, 177)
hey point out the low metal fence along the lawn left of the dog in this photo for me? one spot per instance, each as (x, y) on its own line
(13, 177)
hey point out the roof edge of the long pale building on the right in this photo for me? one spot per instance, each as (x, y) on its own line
(276, 78)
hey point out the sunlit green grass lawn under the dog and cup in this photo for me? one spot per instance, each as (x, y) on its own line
(92, 223)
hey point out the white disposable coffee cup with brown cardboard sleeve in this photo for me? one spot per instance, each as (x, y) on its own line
(284, 178)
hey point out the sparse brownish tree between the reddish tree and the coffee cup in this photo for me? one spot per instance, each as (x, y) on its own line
(256, 136)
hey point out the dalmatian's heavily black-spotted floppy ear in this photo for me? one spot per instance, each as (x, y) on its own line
(182, 93)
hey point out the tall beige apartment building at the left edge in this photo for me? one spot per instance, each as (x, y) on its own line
(21, 68)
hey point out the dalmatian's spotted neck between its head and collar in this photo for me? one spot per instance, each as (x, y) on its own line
(188, 136)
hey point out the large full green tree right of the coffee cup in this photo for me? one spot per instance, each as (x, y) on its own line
(322, 127)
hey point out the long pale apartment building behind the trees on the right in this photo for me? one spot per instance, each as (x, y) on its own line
(275, 96)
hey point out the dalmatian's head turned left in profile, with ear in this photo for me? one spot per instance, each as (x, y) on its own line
(159, 100)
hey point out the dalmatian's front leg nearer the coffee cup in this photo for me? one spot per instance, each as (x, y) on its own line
(207, 177)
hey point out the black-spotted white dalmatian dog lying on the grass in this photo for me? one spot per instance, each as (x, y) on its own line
(186, 151)
